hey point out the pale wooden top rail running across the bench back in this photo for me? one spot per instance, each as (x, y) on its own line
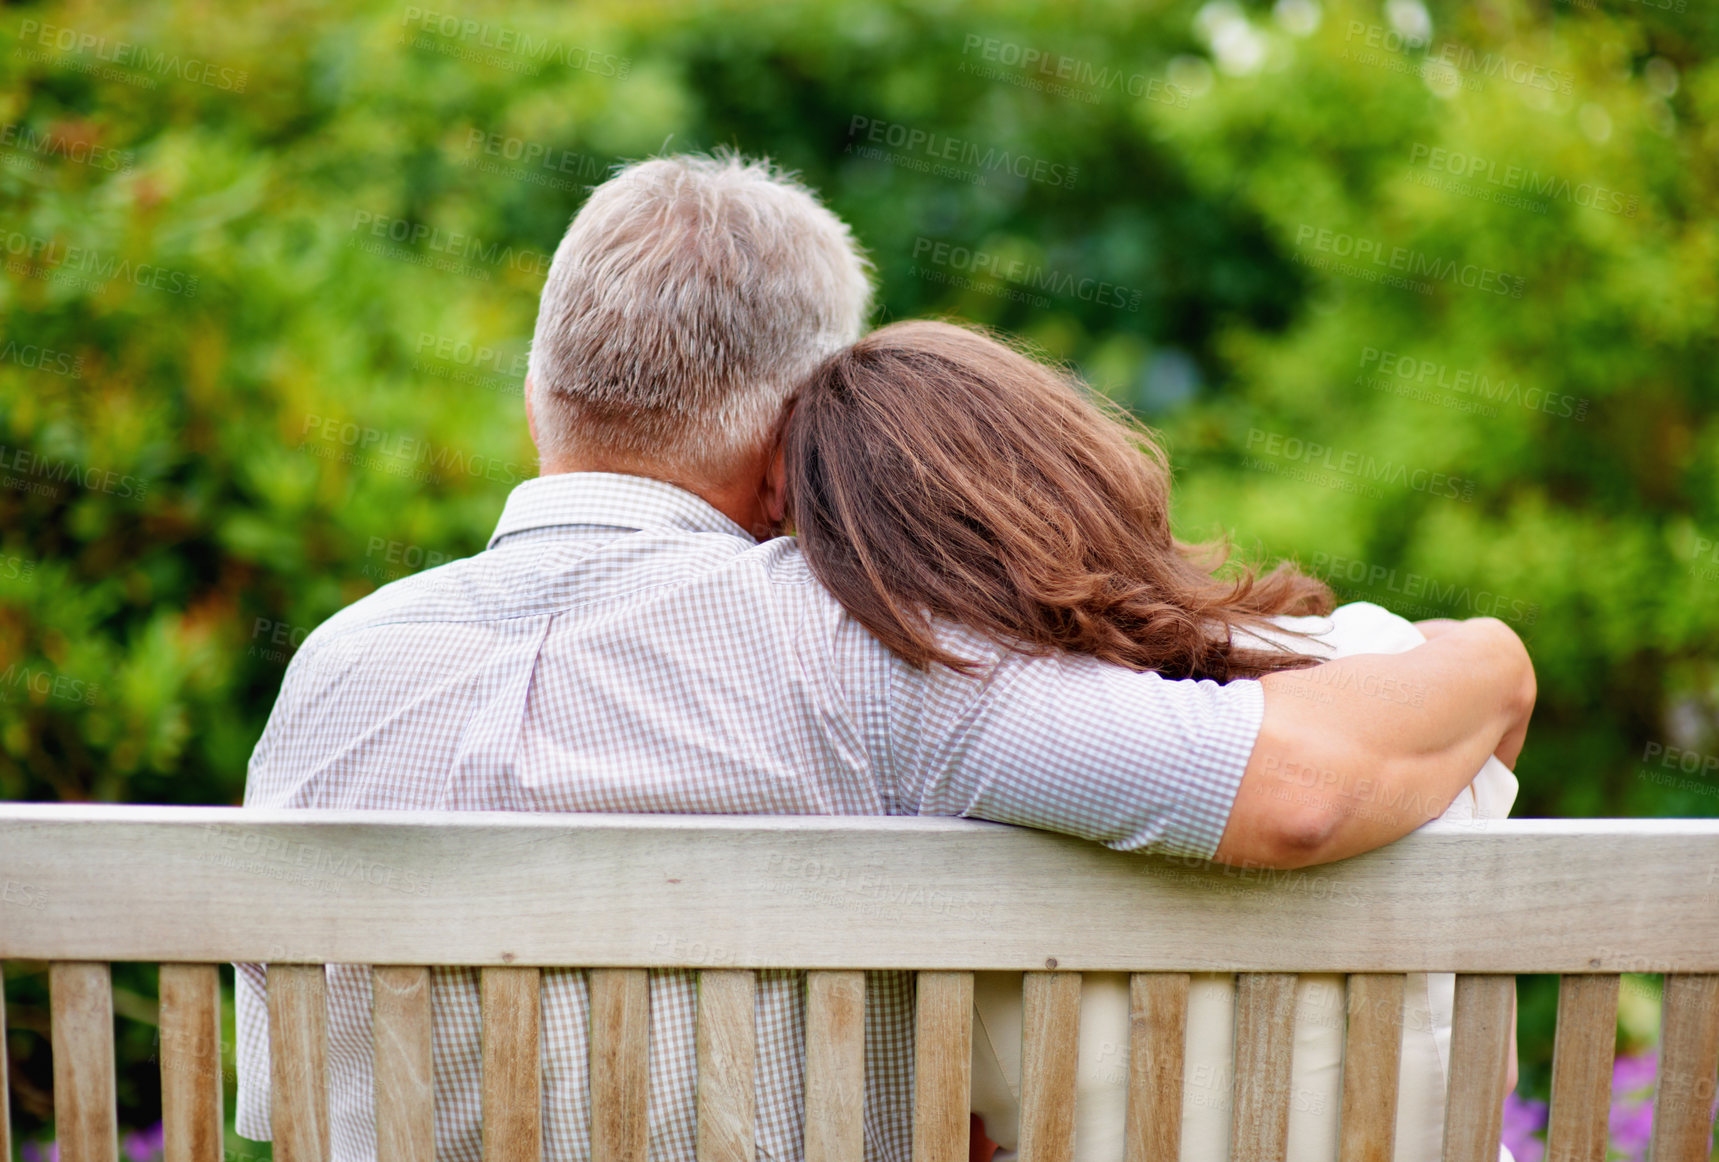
(106, 883)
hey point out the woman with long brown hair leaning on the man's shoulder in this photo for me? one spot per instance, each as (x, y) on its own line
(936, 475)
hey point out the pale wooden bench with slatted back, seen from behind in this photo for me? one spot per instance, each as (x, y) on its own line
(193, 888)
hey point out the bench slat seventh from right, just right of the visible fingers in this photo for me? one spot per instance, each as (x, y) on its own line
(1049, 1063)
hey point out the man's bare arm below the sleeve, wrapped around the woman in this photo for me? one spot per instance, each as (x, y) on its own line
(1359, 752)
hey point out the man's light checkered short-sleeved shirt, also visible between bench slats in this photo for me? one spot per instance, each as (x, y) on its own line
(625, 647)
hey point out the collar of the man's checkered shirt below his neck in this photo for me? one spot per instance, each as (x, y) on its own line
(611, 501)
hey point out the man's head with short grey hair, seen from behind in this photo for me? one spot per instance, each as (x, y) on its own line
(688, 300)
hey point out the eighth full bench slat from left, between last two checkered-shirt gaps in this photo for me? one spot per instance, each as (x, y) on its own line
(835, 1067)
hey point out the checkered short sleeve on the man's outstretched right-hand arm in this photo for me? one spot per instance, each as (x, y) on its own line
(1074, 745)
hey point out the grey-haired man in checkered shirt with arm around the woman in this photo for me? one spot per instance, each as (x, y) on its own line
(639, 639)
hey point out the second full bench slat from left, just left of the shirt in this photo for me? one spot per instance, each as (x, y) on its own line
(193, 1123)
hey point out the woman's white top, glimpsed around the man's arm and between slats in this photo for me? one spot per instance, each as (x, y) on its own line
(1319, 1022)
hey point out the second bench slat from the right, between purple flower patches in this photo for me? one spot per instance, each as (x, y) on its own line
(1582, 1063)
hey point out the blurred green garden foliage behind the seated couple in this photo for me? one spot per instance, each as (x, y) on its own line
(248, 410)
